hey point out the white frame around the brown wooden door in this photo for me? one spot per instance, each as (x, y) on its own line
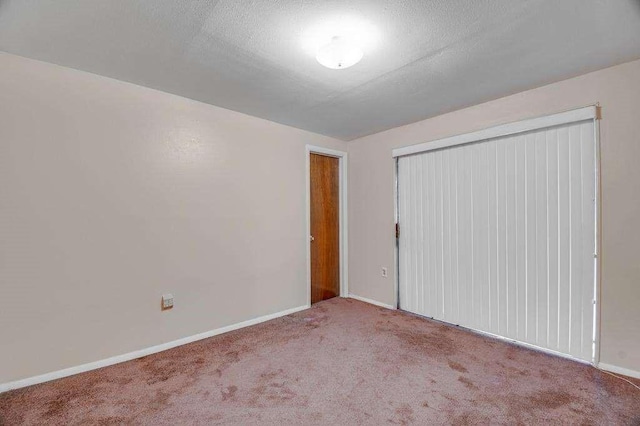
(342, 157)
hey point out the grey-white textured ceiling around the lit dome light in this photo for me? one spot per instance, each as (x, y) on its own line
(429, 57)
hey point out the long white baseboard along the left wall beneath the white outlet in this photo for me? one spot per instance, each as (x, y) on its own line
(140, 353)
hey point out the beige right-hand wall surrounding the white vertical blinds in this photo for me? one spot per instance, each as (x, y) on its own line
(371, 215)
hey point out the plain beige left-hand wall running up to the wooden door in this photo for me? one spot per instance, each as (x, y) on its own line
(112, 194)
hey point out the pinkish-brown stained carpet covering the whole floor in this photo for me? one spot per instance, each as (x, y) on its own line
(341, 362)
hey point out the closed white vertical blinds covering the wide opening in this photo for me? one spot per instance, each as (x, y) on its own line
(499, 236)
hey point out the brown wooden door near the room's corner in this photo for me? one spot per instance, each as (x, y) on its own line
(325, 227)
